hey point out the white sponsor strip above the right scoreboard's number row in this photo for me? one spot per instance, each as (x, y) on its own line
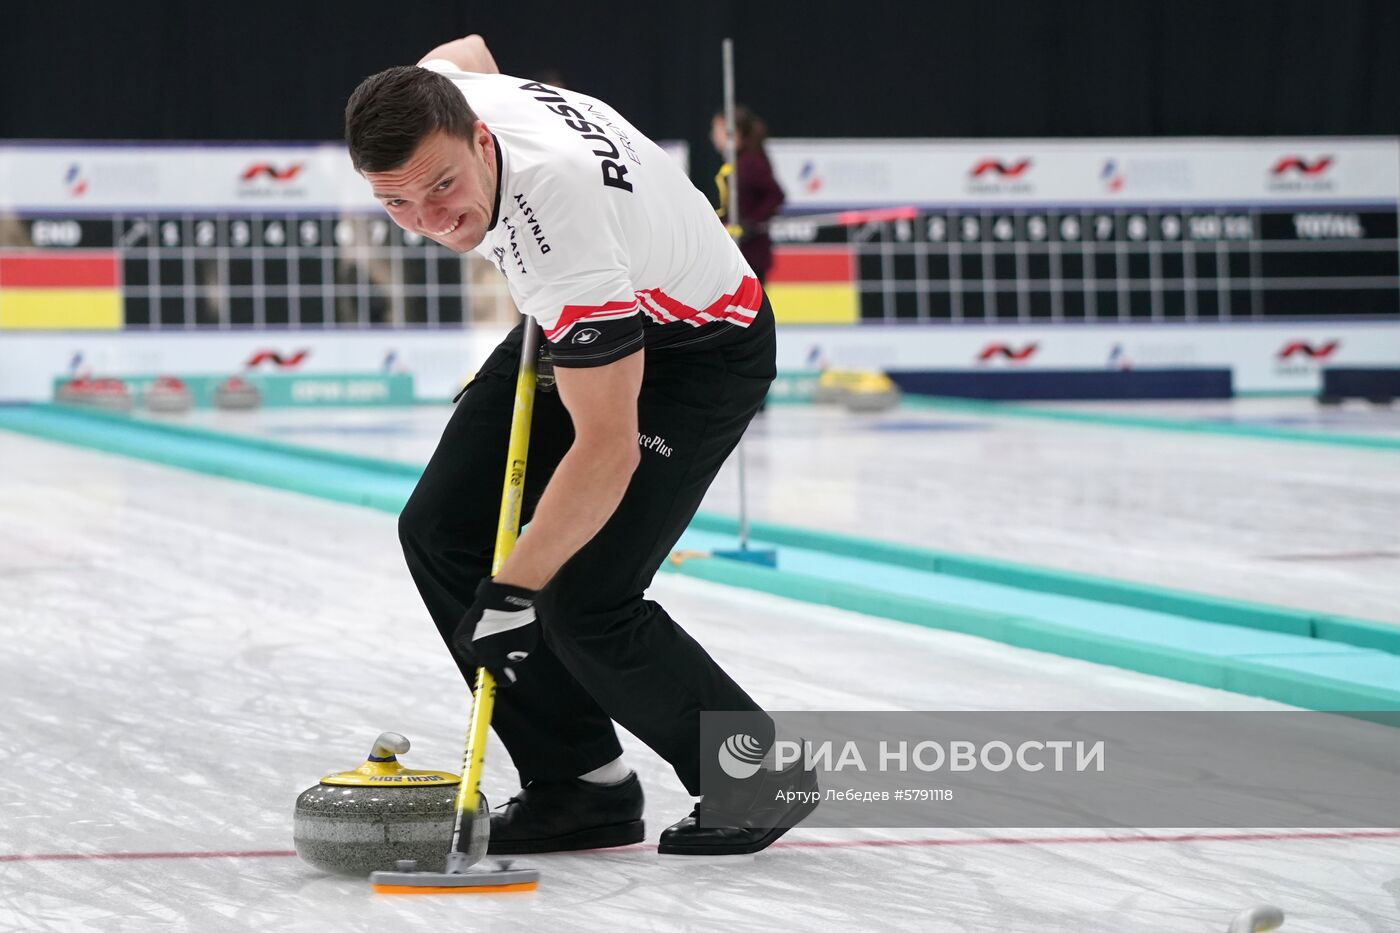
(832, 174)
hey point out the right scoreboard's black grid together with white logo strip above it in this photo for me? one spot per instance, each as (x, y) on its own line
(1102, 232)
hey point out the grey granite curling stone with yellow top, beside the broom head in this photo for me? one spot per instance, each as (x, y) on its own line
(377, 816)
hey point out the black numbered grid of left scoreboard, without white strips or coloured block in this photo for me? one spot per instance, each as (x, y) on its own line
(243, 270)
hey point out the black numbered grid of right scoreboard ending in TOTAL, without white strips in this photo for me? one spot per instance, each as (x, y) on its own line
(1119, 264)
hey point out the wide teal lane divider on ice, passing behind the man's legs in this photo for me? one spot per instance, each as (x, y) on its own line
(1296, 658)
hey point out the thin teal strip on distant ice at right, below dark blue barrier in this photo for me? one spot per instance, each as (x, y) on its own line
(1144, 422)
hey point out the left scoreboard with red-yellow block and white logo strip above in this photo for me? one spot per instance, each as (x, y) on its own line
(185, 237)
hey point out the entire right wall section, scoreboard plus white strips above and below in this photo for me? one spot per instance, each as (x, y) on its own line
(1272, 257)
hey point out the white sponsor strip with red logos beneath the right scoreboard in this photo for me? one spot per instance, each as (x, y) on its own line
(1262, 357)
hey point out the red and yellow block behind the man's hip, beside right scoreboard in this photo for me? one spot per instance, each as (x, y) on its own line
(814, 285)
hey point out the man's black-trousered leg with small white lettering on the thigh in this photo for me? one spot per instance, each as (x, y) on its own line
(645, 670)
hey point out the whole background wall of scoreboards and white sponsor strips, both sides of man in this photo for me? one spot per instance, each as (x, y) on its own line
(1272, 257)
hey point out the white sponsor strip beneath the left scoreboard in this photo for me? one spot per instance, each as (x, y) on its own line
(440, 362)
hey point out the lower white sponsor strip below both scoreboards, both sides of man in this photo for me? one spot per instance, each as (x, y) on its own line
(1262, 357)
